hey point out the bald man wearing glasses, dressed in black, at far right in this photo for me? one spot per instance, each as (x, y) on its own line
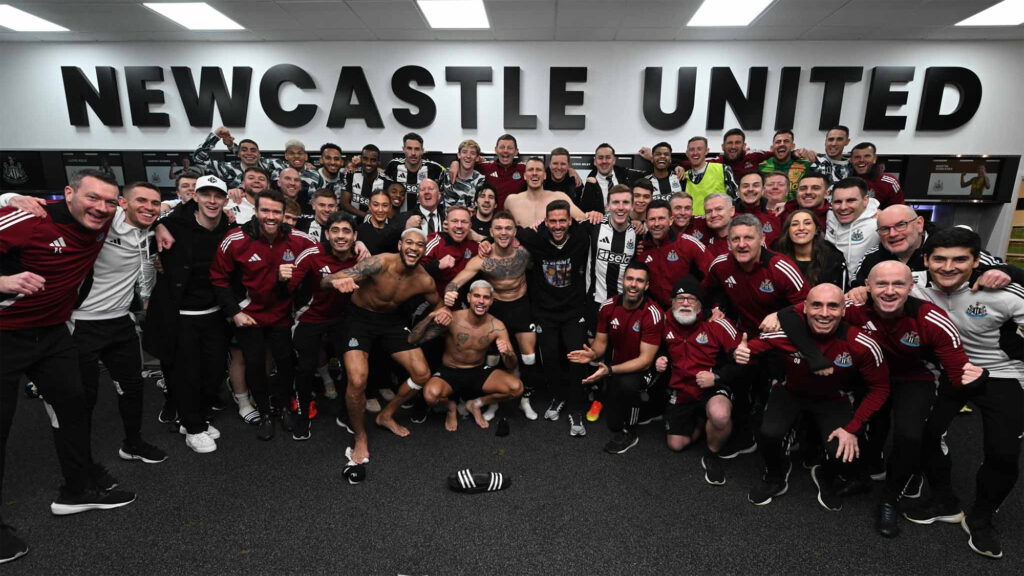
(902, 234)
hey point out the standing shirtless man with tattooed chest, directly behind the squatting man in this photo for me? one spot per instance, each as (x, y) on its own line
(505, 269)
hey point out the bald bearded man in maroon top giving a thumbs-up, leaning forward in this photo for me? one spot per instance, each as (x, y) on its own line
(824, 396)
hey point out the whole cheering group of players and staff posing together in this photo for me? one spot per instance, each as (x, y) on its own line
(782, 302)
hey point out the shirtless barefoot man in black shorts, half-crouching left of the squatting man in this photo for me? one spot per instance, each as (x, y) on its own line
(379, 286)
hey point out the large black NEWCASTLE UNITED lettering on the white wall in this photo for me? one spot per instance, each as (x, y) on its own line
(887, 87)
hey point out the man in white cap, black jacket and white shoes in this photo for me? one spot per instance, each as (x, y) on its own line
(184, 326)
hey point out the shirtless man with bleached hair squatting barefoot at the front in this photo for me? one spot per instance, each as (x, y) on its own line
(470, 337)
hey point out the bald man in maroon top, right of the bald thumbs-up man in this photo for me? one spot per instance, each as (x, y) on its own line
(912, 333)
